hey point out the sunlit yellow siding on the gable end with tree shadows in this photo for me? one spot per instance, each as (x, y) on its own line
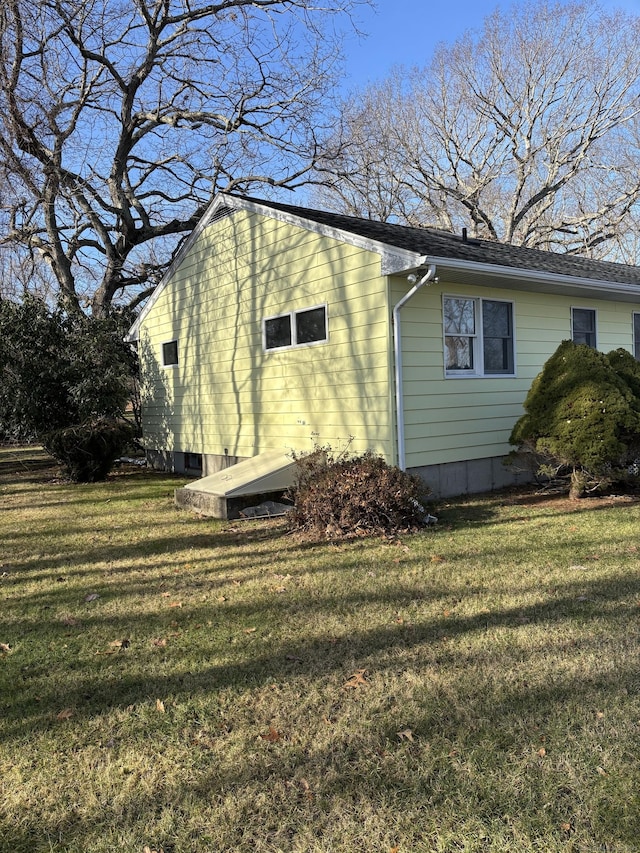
(229, 398)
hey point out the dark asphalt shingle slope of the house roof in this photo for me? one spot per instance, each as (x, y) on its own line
(443, 244)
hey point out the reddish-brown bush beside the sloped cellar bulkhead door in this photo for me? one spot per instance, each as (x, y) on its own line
(353, 496)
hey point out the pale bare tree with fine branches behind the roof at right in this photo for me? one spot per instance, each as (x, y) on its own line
(528, 132)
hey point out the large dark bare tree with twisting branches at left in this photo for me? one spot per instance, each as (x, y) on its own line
(120, 118)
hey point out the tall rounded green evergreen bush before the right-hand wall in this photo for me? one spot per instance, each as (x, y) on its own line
(582, 413)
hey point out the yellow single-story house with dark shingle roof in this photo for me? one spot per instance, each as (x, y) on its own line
(279, 327)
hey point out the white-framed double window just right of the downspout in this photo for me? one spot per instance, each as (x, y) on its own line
(478, 337)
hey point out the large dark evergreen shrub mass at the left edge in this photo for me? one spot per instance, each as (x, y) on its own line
(62, 376)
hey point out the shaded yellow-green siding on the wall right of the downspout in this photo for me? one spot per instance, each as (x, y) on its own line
(453, 420)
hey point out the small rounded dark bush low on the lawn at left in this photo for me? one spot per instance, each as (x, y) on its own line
(89, 450)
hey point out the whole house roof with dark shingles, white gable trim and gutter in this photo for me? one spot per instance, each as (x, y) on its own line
(404, 249)
